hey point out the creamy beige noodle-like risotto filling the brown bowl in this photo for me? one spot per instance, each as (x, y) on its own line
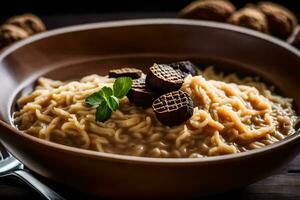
(231, 115)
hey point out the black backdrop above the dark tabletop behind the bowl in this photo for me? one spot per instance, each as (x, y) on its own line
(52, 7)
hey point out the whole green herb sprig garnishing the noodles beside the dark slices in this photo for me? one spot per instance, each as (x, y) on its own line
(107, 99)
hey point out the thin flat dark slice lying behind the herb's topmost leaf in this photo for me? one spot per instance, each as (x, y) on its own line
(128, 72)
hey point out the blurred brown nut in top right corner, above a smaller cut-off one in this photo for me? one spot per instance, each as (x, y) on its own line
(281, 21)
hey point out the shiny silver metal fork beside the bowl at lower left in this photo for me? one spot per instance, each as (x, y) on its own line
(11, 167)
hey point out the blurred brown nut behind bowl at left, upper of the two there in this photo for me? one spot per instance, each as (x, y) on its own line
(29, 22)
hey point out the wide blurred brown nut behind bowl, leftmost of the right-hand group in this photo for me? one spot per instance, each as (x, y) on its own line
(215, 10)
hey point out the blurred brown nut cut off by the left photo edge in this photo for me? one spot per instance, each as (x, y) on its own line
(10, 33)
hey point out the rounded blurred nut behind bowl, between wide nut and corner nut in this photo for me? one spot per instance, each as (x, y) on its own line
(250, 17)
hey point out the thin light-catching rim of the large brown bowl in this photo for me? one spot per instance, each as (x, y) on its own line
(142, 22)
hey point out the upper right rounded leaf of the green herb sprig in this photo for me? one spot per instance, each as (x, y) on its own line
(121, 86)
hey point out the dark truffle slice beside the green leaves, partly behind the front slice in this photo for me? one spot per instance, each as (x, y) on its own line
(140, 95)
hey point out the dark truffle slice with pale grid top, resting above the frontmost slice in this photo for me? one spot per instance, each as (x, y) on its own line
(162, 78)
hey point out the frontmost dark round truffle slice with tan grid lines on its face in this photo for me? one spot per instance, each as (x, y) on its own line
(173, 108)
